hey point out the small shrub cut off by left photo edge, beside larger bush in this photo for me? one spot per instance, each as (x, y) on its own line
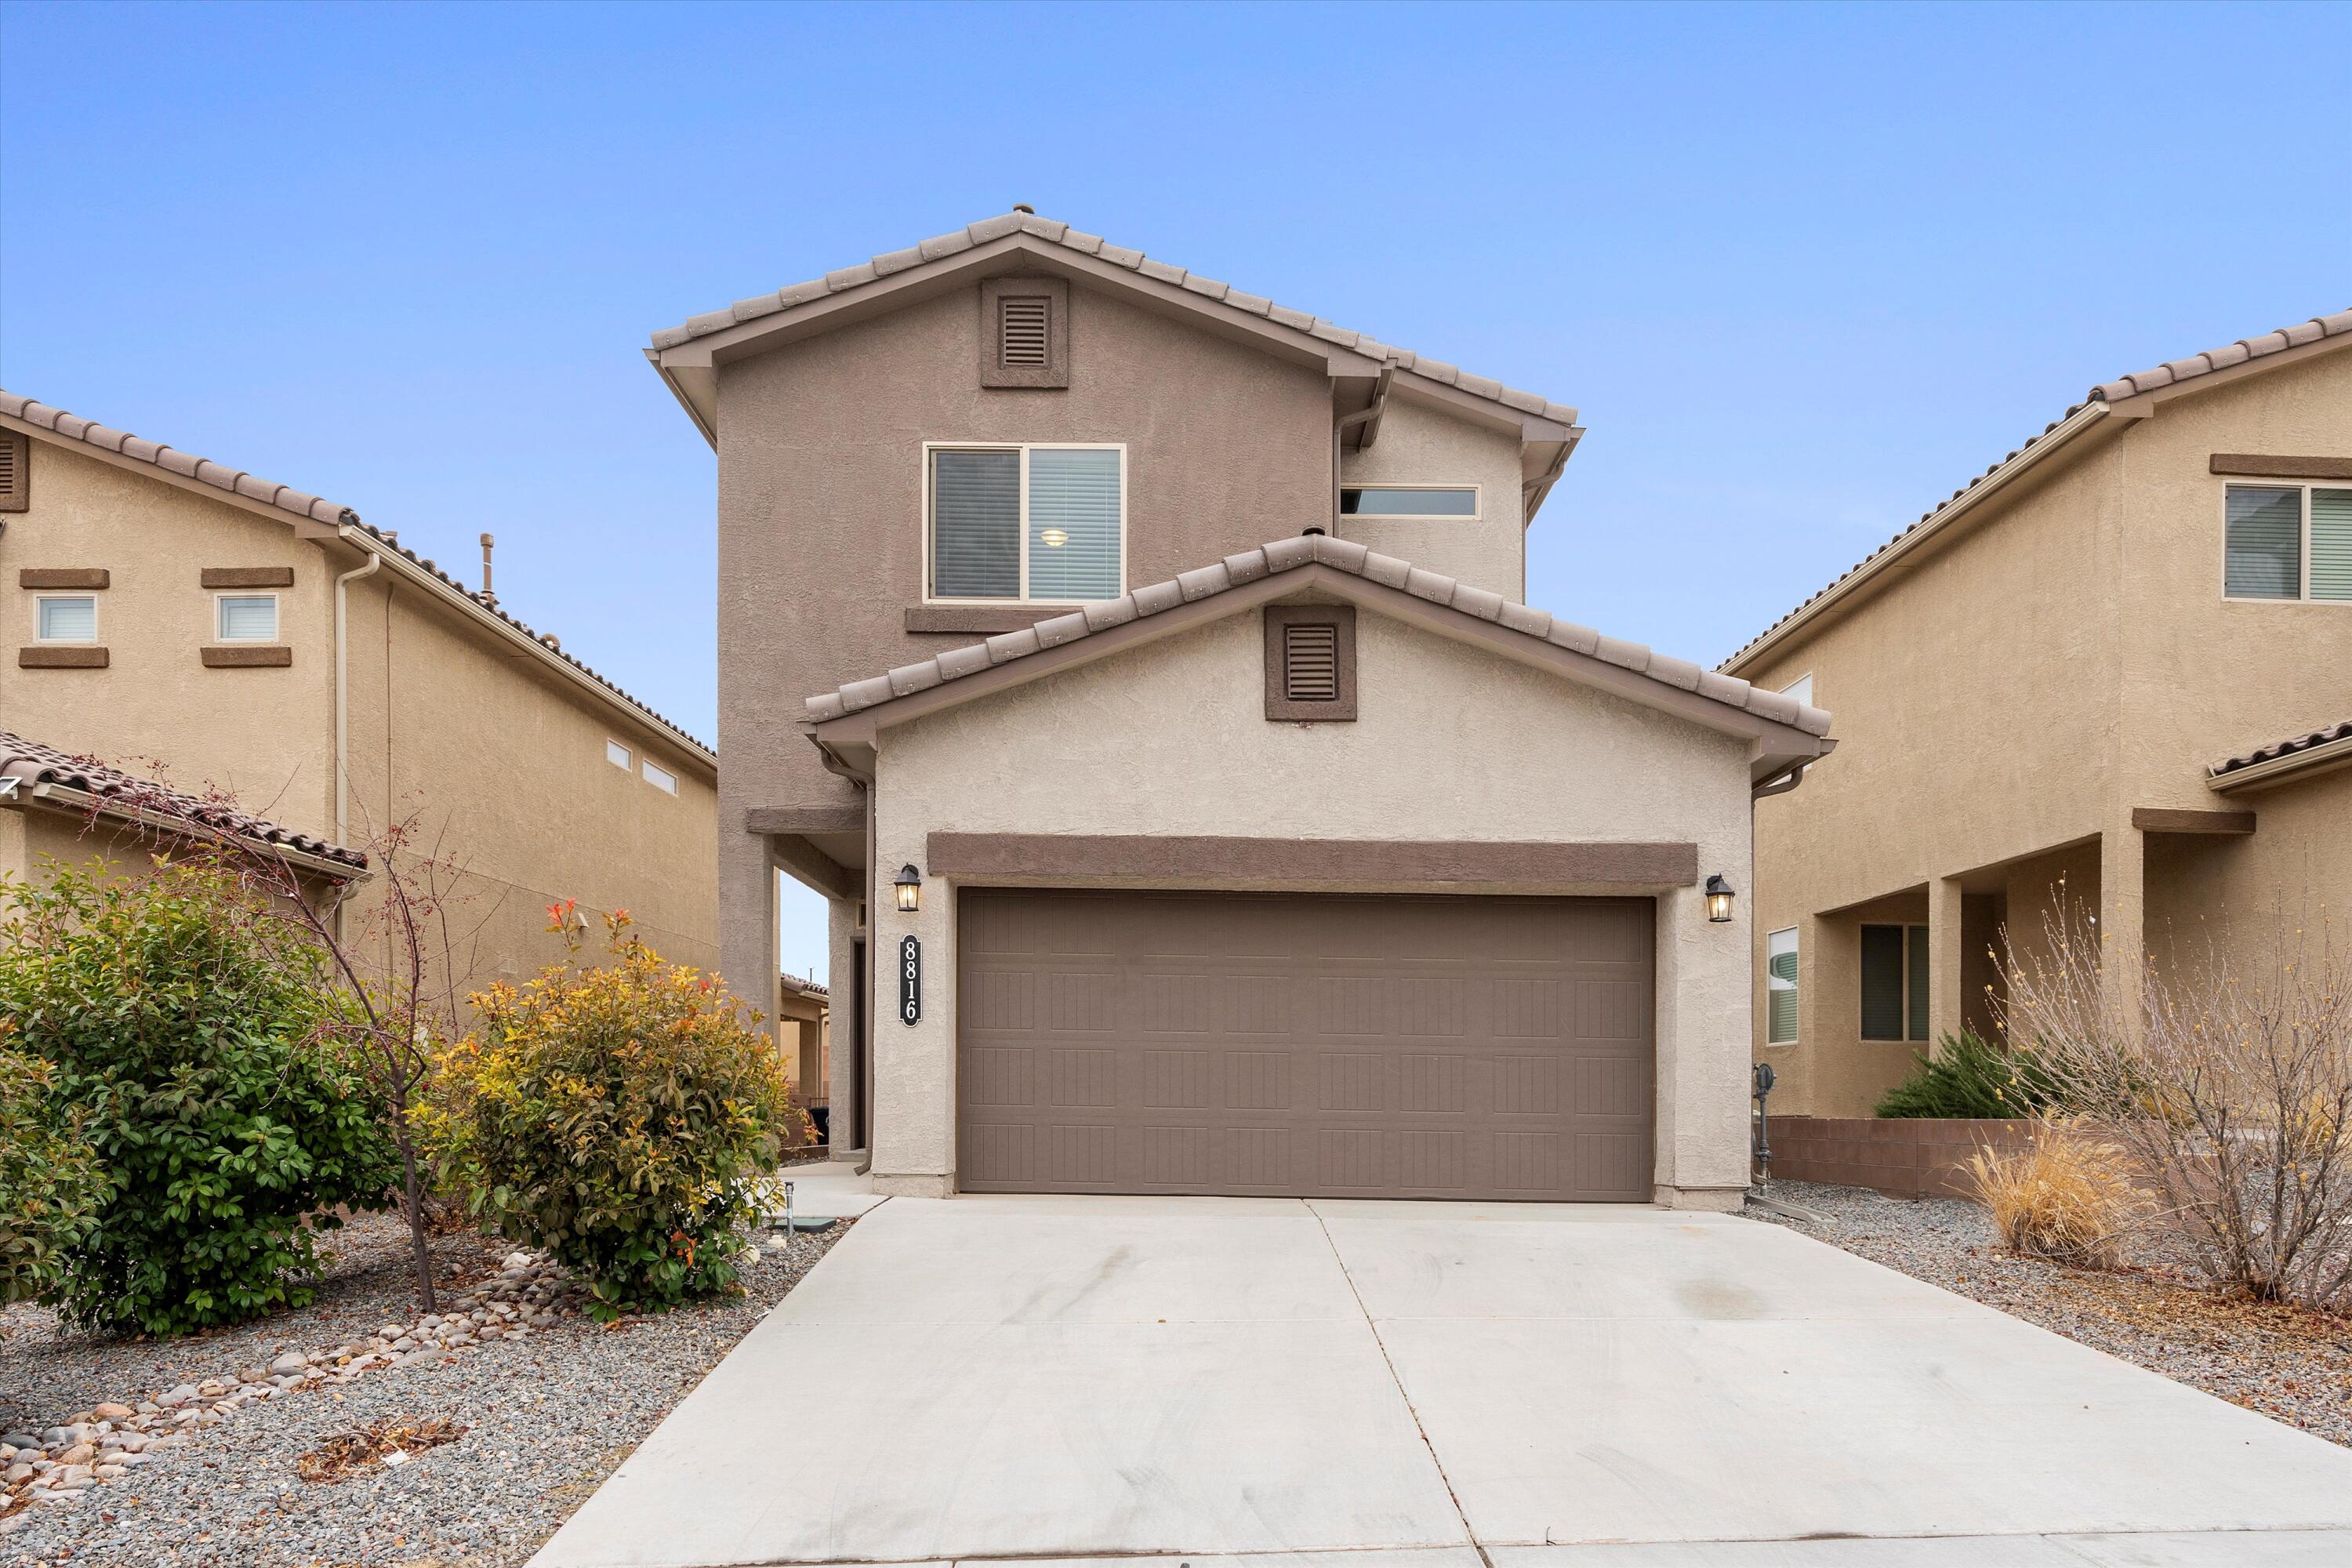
(51, 1181)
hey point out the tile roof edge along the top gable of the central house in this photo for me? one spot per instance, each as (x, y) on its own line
(1118, 255)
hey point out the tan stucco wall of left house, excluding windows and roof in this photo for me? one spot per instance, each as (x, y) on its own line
(505, 760)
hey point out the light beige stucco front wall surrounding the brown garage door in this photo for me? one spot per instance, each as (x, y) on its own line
(1452, 744)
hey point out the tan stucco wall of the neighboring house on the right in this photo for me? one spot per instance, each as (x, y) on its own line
(2062, 662)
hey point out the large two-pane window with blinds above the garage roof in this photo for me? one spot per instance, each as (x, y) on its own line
(1024, 525)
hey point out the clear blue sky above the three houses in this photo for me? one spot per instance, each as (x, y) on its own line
(1803, 269)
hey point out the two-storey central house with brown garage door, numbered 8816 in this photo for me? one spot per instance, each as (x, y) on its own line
(1168, 859)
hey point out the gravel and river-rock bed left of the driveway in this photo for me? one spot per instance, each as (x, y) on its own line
(542, 1400)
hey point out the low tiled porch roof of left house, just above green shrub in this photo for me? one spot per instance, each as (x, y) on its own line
(60, 808)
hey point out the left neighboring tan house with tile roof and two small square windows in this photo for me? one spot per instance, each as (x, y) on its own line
(215, 631)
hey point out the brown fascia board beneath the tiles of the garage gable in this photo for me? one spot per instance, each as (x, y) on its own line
(1772, 744)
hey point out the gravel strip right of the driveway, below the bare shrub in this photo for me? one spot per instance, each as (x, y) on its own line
(2290, 1365)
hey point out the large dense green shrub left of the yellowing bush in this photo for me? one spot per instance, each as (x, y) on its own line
(182, 1026)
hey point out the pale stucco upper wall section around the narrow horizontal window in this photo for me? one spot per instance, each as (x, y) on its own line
(1426, 445)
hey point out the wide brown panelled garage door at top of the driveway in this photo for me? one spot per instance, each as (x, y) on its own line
(1304, 1045)
